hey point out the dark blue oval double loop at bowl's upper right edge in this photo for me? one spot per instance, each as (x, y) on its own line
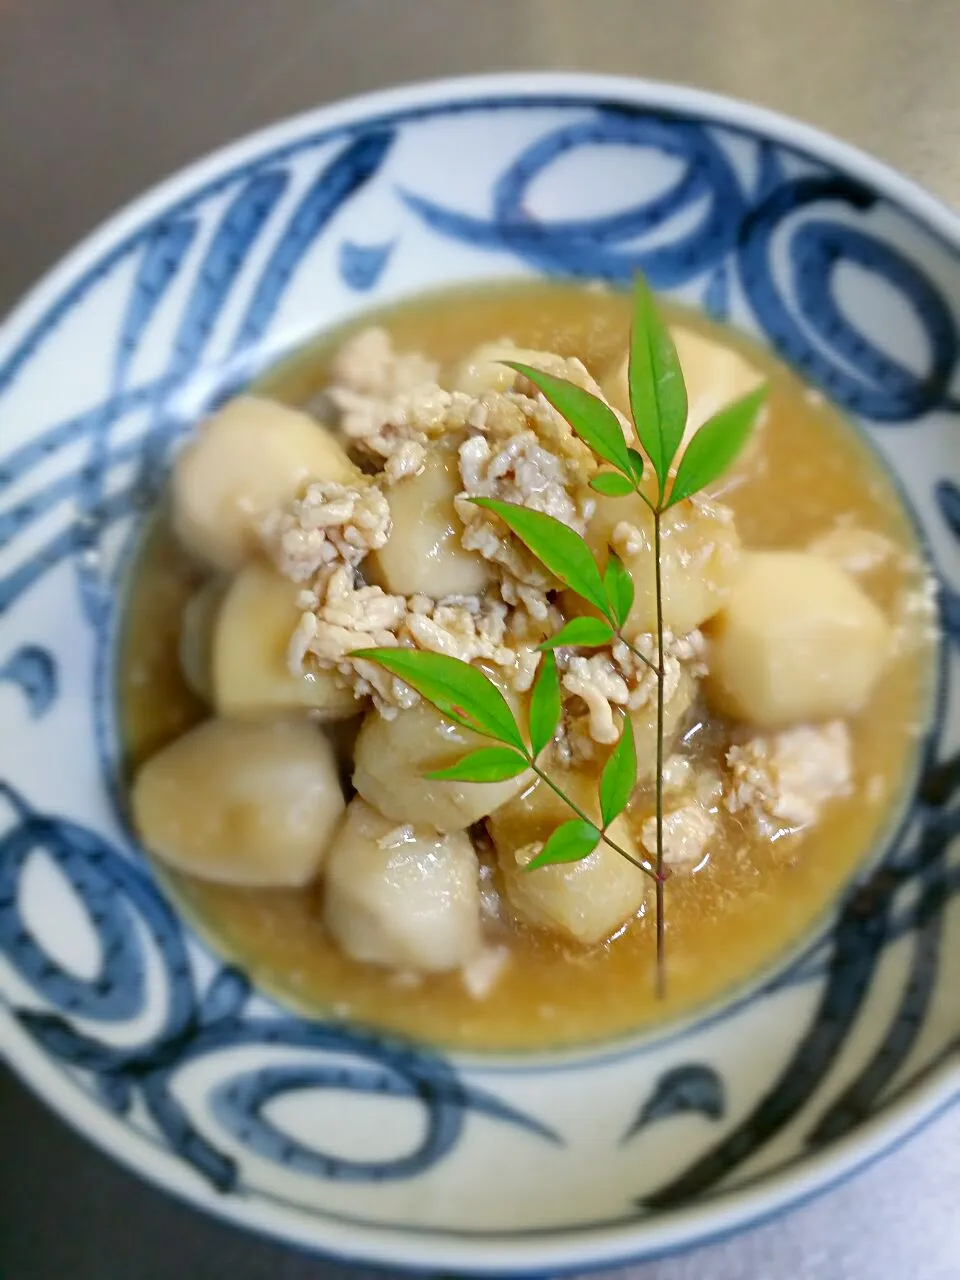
(881, 388)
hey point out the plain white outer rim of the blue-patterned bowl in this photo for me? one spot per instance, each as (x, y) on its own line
(552, 1251)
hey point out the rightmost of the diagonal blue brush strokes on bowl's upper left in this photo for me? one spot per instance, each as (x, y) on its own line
(339, 182)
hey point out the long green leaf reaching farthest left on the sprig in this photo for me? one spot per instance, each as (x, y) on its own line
(458, 691)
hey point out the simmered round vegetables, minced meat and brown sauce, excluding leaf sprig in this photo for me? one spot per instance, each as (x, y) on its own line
(282, 784)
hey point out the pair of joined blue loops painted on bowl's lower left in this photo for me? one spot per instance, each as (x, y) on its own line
(122, 903)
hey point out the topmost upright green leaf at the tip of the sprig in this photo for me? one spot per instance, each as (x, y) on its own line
(657, 391)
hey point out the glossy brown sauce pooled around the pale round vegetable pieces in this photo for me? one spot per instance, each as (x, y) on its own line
(747, 908)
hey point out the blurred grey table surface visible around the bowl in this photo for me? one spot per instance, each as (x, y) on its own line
(100, 99)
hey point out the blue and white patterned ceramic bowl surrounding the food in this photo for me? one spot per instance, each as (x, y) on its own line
(341, 1140)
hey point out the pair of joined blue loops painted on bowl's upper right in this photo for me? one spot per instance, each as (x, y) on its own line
(810, 330)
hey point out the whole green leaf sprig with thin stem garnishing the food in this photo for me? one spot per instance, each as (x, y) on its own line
(467, 696)
